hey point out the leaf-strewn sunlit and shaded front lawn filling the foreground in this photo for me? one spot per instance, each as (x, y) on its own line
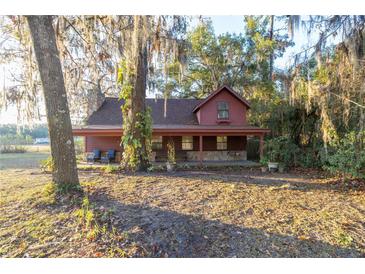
(230, 213)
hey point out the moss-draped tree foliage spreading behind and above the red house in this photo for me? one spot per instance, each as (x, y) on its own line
(313, 103)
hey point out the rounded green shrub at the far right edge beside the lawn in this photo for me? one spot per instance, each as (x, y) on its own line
(346, 158)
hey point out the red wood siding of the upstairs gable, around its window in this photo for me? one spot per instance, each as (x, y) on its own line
(208, 115)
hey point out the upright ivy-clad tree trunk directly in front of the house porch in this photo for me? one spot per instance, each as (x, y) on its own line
(135, 120)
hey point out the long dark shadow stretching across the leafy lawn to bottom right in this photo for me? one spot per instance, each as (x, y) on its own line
(164, 233)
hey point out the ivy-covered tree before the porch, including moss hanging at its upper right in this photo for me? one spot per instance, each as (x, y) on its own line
(152, 36)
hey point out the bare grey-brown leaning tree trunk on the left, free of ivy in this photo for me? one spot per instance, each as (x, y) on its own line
(58, 116)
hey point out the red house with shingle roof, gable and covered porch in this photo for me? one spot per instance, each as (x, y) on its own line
(214, 128)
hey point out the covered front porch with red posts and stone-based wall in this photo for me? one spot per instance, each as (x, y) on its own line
(193, 144)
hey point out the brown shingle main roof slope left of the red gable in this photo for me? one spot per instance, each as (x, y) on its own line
(179, 112)
